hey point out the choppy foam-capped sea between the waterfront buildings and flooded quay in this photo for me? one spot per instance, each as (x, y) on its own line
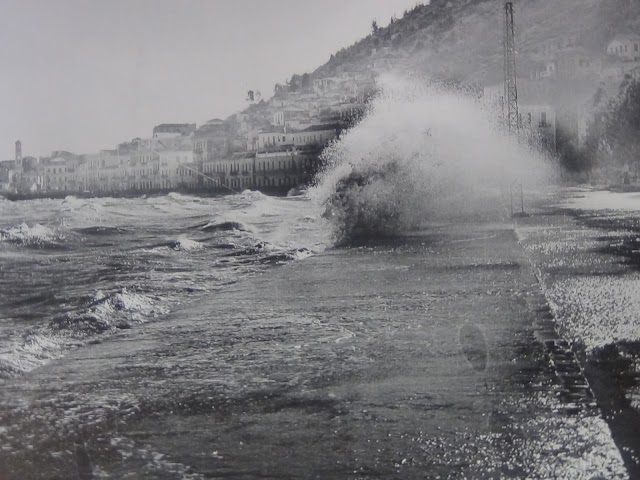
(74, 270)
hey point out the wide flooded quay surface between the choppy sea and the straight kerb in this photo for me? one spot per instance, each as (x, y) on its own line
(430, 356)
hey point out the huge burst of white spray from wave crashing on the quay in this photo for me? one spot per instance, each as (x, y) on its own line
(422, 152)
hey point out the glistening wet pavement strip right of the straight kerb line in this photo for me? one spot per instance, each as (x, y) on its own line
(583, 245)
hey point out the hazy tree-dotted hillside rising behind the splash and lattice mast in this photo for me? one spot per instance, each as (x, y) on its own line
(565, 62)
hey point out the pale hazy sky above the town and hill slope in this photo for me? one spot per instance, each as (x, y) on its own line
(83, 75)
